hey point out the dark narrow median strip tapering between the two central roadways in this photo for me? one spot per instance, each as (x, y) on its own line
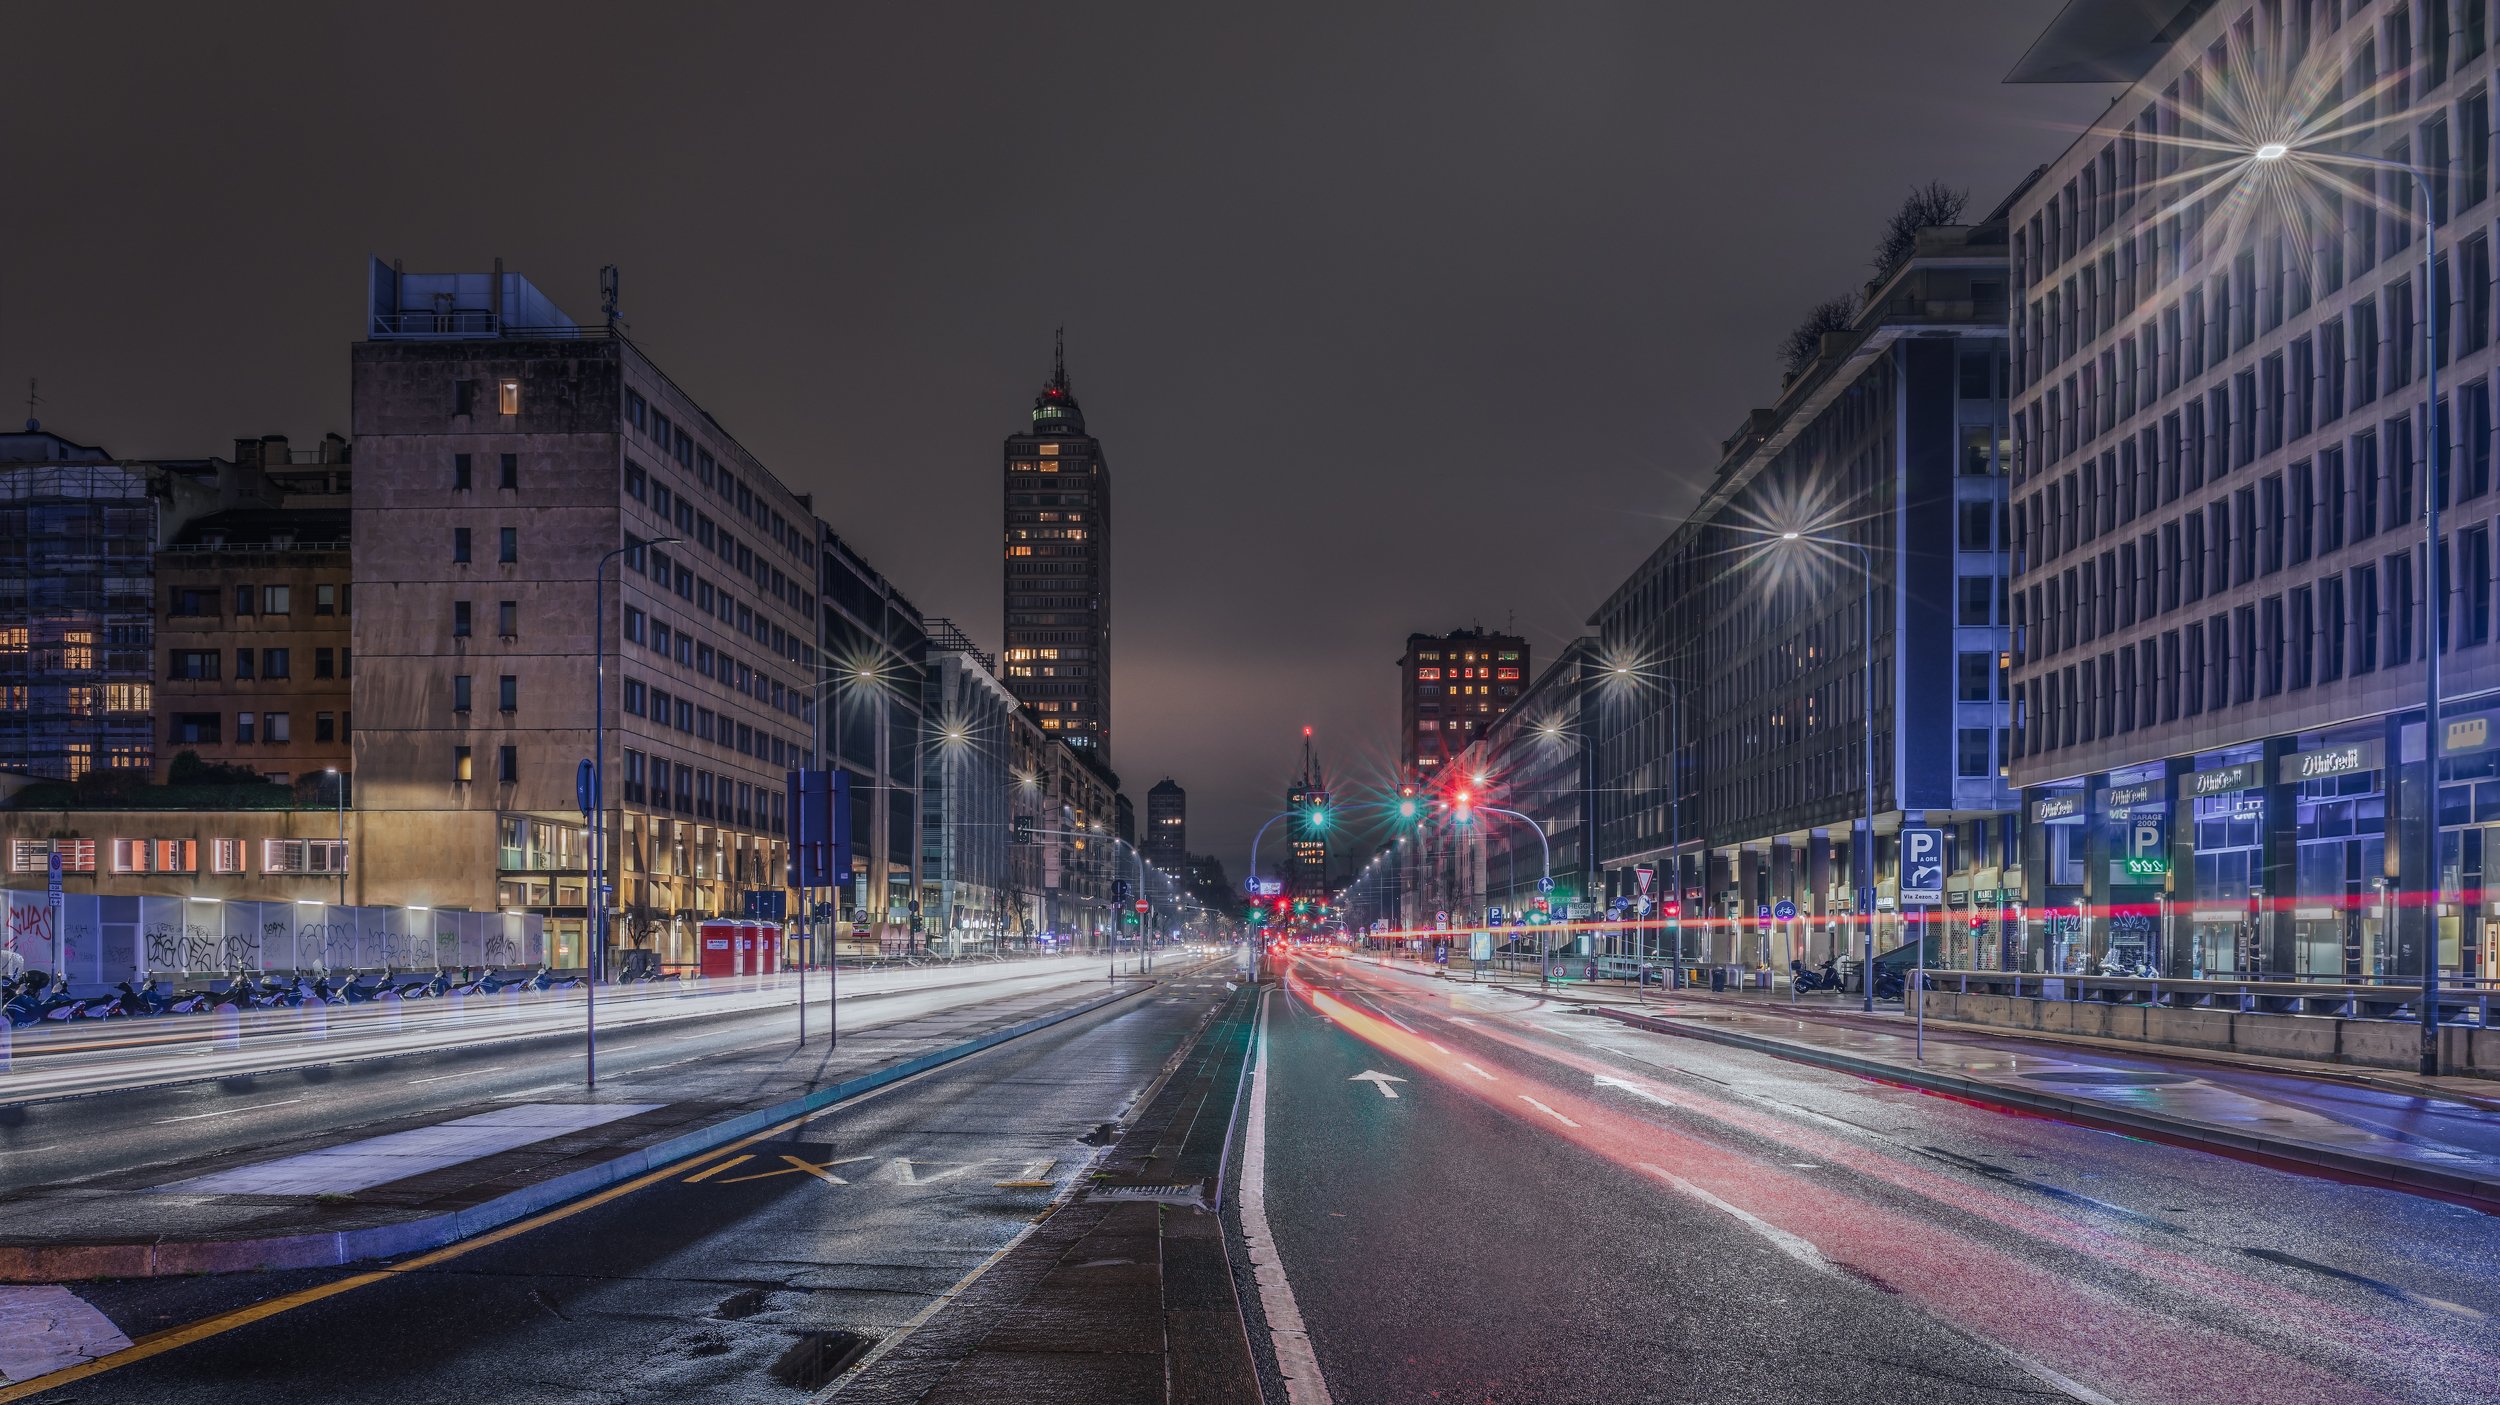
(1124, 1294)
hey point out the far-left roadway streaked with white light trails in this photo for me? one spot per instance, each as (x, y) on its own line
(176, 1121)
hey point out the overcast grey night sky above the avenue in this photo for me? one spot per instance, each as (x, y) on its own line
(1389, 316)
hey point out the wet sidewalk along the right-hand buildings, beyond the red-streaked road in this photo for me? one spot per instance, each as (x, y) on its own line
(2386, 1129)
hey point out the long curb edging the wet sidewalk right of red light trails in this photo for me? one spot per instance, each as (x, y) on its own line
(2391, 1174)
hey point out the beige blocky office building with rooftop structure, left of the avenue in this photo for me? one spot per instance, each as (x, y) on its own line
(509, 459)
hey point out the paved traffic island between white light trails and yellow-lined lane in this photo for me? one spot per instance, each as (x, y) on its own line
(456, 1171)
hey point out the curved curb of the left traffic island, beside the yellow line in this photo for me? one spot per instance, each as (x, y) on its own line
(69, 1264)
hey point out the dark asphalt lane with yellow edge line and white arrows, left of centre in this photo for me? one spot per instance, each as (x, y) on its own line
(726, 1281)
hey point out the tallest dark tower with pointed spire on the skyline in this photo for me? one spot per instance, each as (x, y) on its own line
(1059, 571)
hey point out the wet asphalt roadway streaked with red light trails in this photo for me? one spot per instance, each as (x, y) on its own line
(1561, 1209)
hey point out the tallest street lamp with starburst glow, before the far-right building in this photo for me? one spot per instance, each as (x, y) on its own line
(2434, 601)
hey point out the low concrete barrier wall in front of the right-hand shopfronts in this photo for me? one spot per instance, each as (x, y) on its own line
(2369, 1044)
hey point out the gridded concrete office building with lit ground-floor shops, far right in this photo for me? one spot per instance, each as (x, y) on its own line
(2224, 446)
